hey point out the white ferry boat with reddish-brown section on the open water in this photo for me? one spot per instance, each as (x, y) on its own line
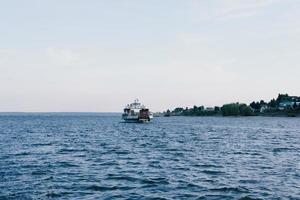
(136, 112)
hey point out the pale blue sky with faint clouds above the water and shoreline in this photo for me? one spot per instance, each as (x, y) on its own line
(99, 55)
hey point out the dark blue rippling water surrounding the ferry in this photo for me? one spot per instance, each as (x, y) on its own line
(90, 156)
